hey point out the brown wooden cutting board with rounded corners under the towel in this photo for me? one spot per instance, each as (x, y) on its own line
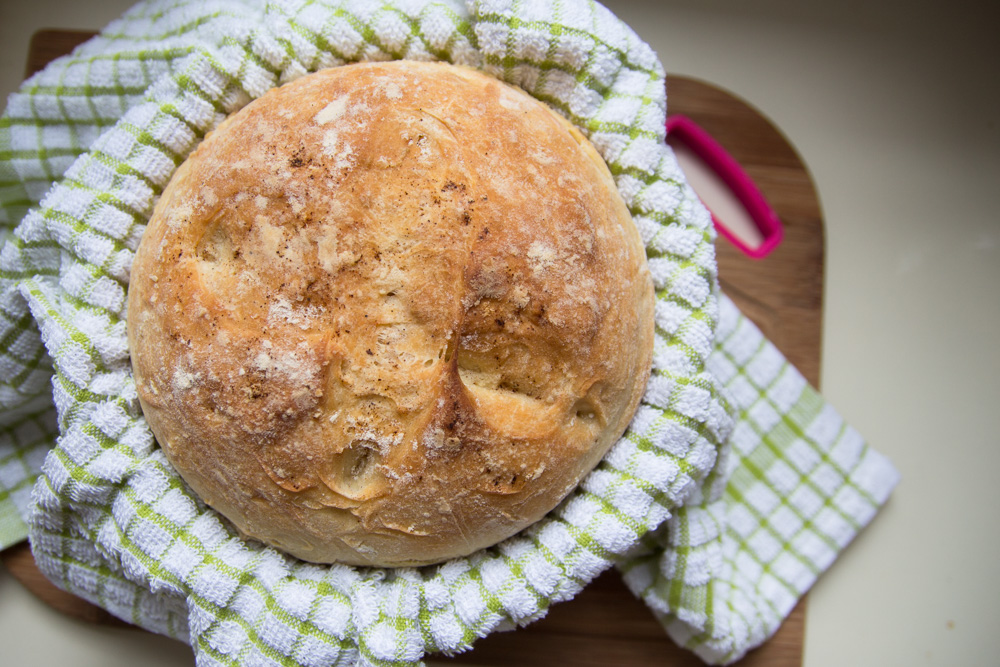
(782, 293)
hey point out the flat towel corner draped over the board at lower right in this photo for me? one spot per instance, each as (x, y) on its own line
(723, 573)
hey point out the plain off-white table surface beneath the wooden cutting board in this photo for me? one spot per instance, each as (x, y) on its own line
(894, 107)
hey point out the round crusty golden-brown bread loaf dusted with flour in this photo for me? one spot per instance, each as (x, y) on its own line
(389, 314)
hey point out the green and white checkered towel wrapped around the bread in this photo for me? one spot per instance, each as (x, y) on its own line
(719, 543)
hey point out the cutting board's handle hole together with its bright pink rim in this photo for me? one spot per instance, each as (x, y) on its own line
(738, 208)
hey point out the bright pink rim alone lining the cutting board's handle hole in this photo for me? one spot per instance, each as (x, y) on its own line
(732, 174)
